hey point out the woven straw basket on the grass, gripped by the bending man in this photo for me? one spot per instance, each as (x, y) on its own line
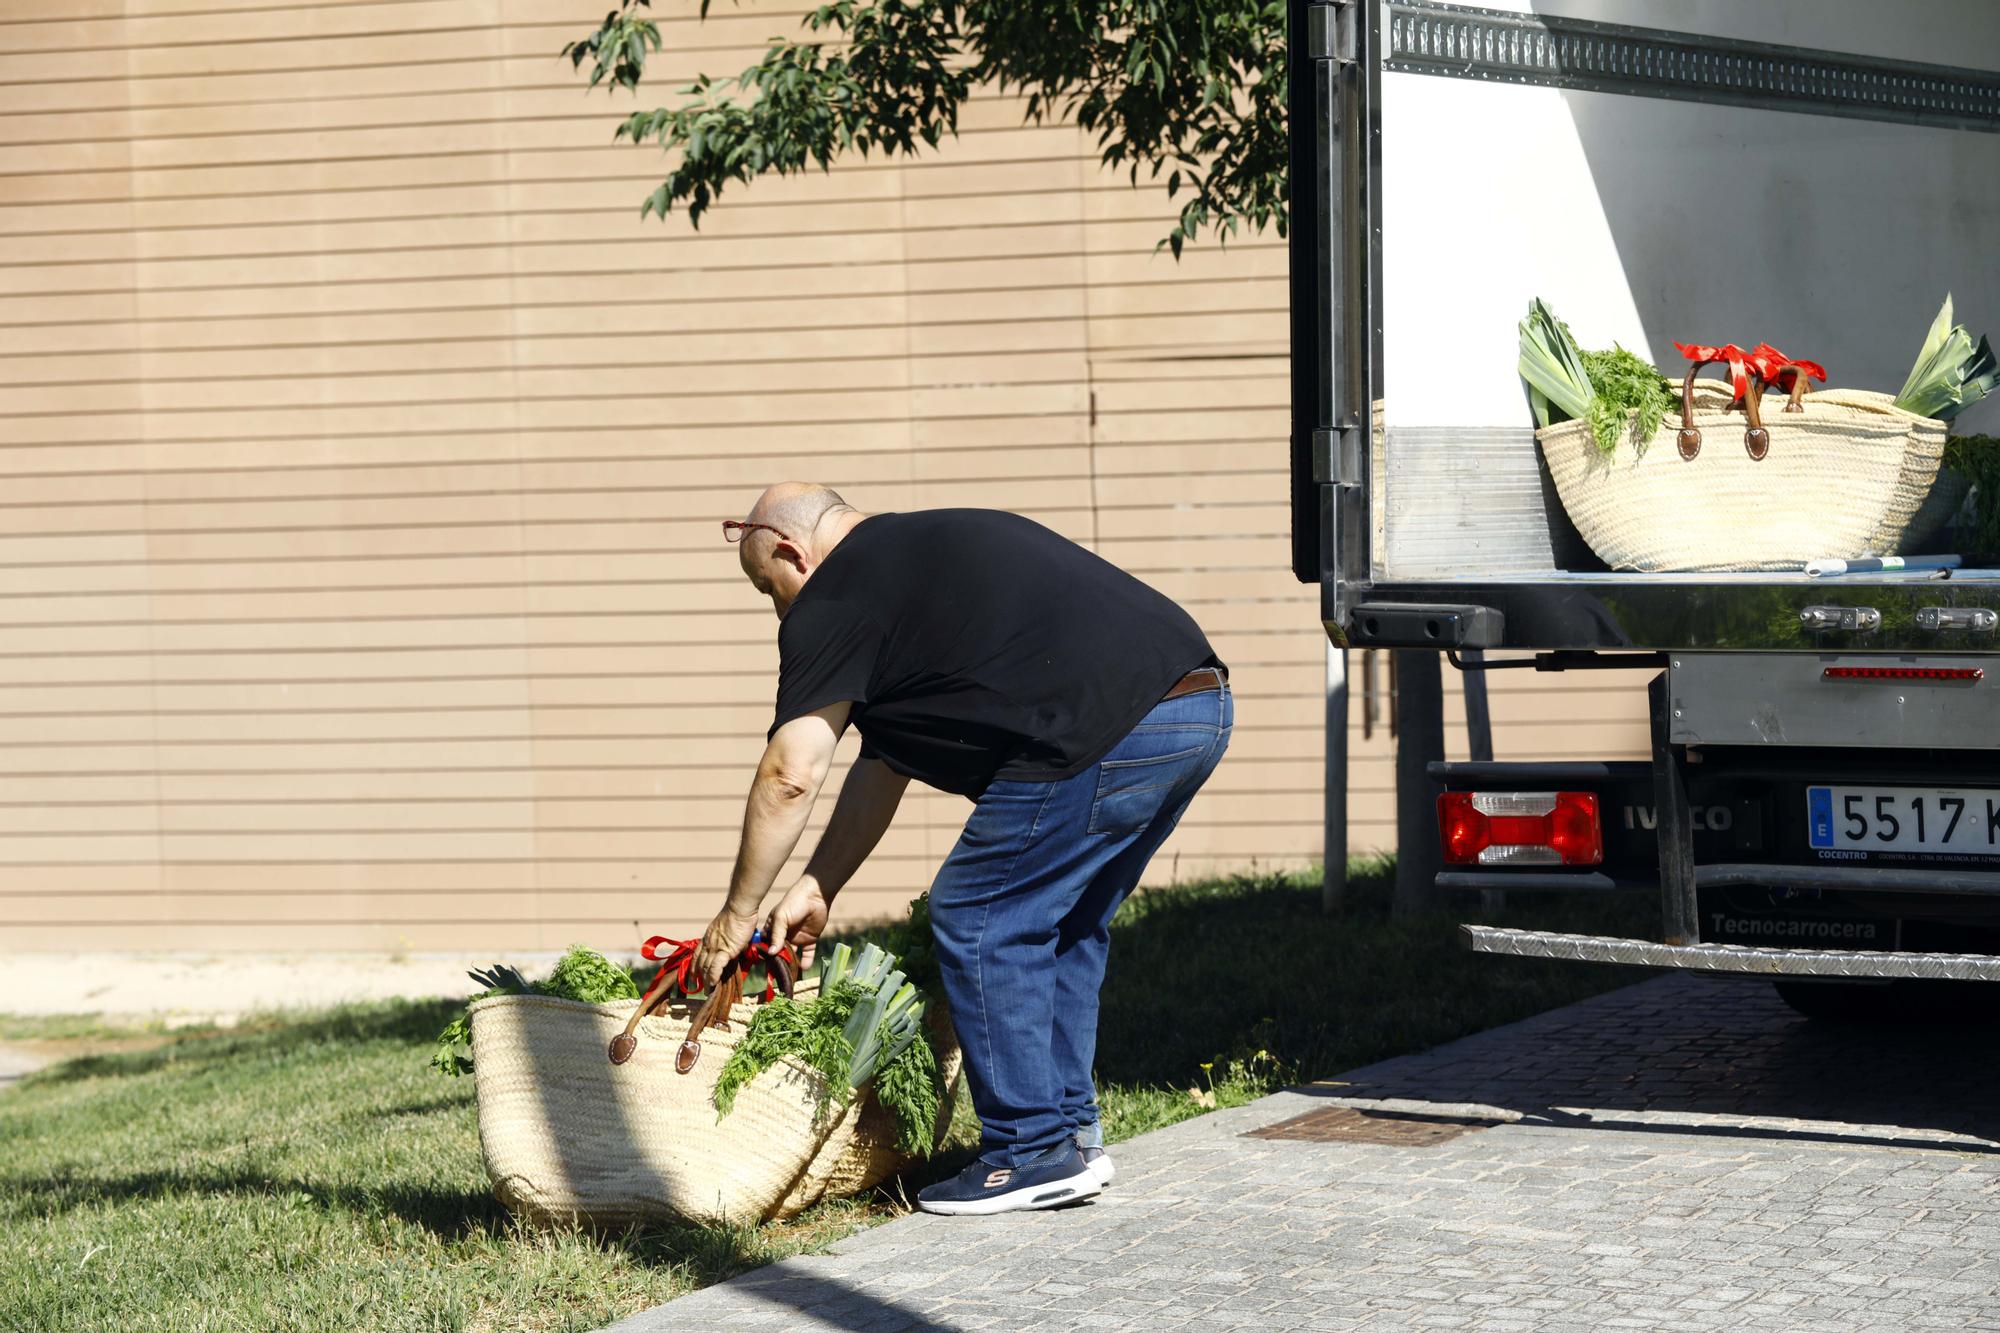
(573, 1138)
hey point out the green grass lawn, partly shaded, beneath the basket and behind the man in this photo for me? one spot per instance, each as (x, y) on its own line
(311, 1172)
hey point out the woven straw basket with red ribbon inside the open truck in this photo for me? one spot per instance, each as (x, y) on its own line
(1837, 475)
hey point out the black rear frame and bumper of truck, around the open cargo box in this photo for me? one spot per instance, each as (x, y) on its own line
(1755, 704)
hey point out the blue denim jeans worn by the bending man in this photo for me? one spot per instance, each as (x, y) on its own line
(1023, 910)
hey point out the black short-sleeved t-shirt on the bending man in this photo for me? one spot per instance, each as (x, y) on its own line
(979, 645)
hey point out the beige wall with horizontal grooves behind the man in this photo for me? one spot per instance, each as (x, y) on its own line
(363, 457)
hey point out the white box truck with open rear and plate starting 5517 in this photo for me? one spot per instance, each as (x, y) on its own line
(1823, 800)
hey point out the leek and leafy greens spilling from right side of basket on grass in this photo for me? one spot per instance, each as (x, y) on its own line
(865, 1026)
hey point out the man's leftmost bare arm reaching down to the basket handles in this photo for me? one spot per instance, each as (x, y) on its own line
(787, 784)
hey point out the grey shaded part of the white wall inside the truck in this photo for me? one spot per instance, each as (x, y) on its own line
(1833, 239)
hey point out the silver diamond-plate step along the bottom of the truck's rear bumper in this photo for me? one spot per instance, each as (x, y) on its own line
(1733, 958)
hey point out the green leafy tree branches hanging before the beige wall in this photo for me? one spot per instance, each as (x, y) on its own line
(1197, 87)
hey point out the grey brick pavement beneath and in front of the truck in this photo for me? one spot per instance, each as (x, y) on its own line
(1683, 1154)
